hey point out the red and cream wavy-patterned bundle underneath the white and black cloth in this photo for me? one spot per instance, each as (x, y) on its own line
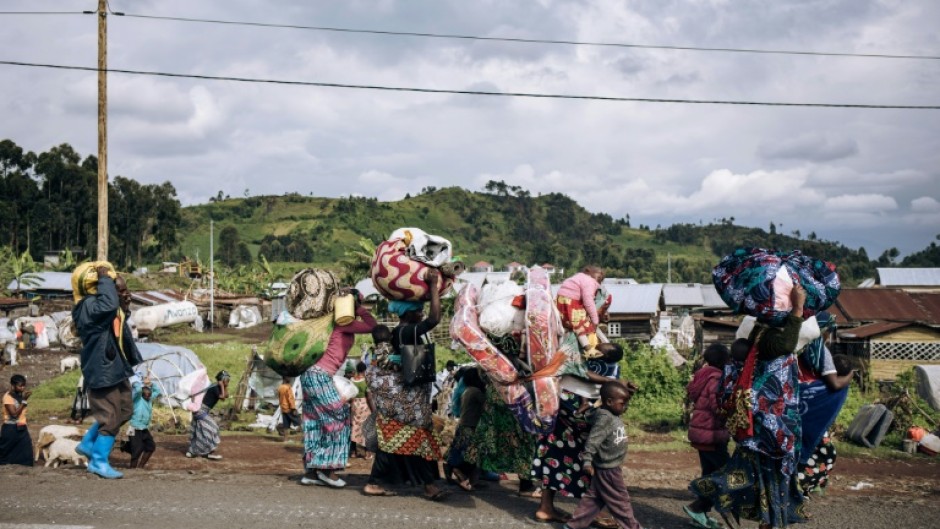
(399, 277)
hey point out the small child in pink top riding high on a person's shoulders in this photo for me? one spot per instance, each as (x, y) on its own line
(576, 303)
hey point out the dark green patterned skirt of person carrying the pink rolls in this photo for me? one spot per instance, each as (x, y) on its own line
(499, 444)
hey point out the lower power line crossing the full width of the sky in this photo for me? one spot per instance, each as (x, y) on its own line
(472, 92)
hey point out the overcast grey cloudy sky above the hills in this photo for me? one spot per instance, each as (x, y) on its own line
(864, 177)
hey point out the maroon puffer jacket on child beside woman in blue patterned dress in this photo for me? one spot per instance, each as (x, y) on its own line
(706, 428)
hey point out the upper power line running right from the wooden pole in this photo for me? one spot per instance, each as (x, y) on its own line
(531, 41)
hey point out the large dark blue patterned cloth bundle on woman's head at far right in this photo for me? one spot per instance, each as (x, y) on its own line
(758, 282)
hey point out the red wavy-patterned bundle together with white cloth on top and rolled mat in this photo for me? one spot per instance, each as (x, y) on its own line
(401, 262)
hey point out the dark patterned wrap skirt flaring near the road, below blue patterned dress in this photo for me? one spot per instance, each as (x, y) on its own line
(752, 486)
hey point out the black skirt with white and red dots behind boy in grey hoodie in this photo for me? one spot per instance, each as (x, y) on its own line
(558, 465)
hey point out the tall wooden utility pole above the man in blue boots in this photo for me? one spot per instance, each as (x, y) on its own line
(102, 130)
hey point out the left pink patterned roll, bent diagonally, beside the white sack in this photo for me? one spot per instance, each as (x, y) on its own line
(465, 328)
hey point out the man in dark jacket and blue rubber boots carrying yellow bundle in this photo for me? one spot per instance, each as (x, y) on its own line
(108, 354)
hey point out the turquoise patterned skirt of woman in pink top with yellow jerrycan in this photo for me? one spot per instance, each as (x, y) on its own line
(326, 422)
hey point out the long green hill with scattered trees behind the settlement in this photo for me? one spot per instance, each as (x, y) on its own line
(504, 225)
